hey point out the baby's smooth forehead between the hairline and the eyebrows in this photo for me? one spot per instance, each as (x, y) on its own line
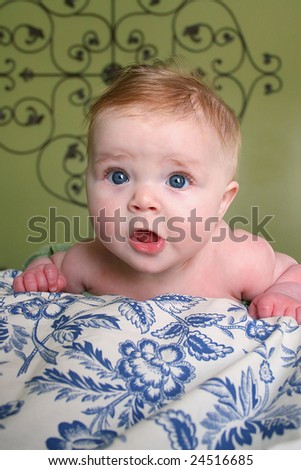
(148, 131)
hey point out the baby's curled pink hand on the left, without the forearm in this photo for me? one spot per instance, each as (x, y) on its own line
(41, 278)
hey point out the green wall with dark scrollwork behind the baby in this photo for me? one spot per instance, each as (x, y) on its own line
(50, 71)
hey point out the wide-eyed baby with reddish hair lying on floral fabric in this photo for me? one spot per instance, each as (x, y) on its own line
(162, 157)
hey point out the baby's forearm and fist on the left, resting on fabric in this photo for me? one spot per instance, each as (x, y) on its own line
(42, 275)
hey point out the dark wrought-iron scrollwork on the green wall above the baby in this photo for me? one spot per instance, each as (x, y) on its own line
(81, 43)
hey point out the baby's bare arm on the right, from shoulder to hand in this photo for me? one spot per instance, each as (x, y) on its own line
(270, 281)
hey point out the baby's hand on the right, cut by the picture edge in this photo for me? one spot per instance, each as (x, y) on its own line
(275, 304)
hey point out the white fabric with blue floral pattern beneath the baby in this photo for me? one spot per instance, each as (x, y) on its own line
(173, 372)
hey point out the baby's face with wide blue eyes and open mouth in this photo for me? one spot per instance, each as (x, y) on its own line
(156, 187)
